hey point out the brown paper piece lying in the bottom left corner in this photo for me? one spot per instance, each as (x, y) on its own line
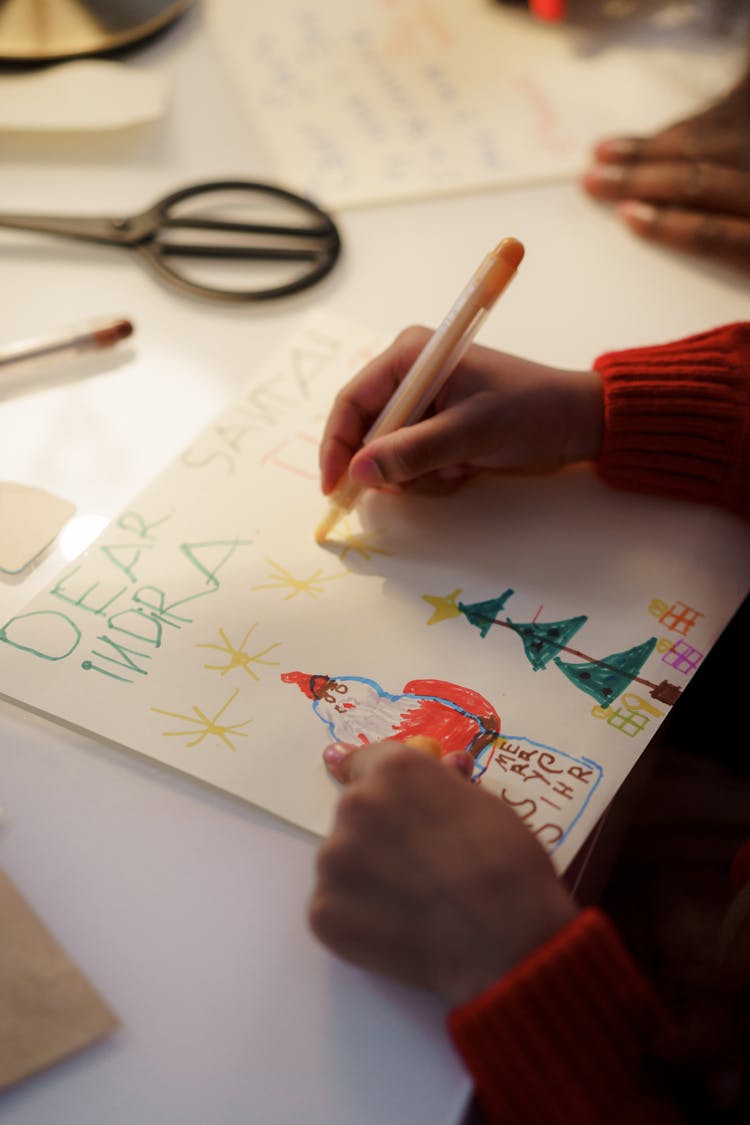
(48, 1007)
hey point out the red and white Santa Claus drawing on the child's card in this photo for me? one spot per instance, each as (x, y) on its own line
(358, 710)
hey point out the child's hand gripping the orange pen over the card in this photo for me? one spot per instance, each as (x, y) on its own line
(496, 412)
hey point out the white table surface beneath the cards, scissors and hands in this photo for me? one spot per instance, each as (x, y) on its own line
(186, 908)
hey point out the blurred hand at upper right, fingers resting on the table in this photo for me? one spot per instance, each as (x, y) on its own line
(688, 186)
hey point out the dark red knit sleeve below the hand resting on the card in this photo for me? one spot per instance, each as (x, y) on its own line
(568, 1036)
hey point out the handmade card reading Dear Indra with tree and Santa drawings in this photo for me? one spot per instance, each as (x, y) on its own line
(547, 625)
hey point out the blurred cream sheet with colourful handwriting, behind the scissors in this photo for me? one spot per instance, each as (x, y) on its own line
(369, 102)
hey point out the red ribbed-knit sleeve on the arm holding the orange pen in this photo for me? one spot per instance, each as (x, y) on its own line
(677, 419)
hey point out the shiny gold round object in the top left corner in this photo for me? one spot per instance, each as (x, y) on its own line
(42, 31)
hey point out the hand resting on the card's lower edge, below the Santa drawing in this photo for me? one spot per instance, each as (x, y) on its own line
(429, 879)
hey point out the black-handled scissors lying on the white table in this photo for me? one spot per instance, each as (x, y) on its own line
(268, 241)
